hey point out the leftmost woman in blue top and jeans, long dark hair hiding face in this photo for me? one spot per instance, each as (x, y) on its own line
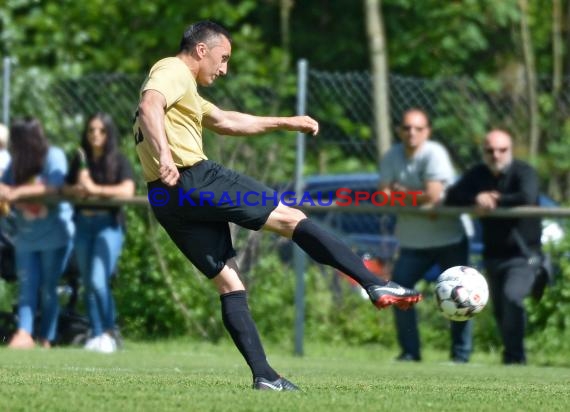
(44, 232)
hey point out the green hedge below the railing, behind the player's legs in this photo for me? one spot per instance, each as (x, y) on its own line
(159, 294)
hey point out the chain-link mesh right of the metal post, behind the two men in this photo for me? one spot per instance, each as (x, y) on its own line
(462, 110)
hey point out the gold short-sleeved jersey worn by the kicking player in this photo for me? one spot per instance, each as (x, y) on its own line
(185, 109)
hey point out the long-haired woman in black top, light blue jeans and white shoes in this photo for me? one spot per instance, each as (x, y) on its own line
(99, 170)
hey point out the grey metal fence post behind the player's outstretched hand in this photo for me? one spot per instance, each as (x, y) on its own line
(299, 257)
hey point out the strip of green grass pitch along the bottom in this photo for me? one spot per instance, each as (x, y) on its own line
(182, 376)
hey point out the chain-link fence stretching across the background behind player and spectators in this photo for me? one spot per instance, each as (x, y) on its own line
(462, 109)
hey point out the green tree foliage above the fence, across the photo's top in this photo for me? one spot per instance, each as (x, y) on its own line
(425, 38)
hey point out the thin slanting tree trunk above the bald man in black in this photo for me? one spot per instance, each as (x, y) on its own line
(530, 71)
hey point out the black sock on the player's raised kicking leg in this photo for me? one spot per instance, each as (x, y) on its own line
(327, 249)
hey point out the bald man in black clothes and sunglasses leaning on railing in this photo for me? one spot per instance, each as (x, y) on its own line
(501, 181)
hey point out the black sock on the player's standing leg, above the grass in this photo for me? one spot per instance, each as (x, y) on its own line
(239, 323)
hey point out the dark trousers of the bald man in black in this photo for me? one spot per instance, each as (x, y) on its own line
(510, 281)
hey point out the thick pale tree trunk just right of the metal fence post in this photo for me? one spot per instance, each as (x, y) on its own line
(379, 64)
